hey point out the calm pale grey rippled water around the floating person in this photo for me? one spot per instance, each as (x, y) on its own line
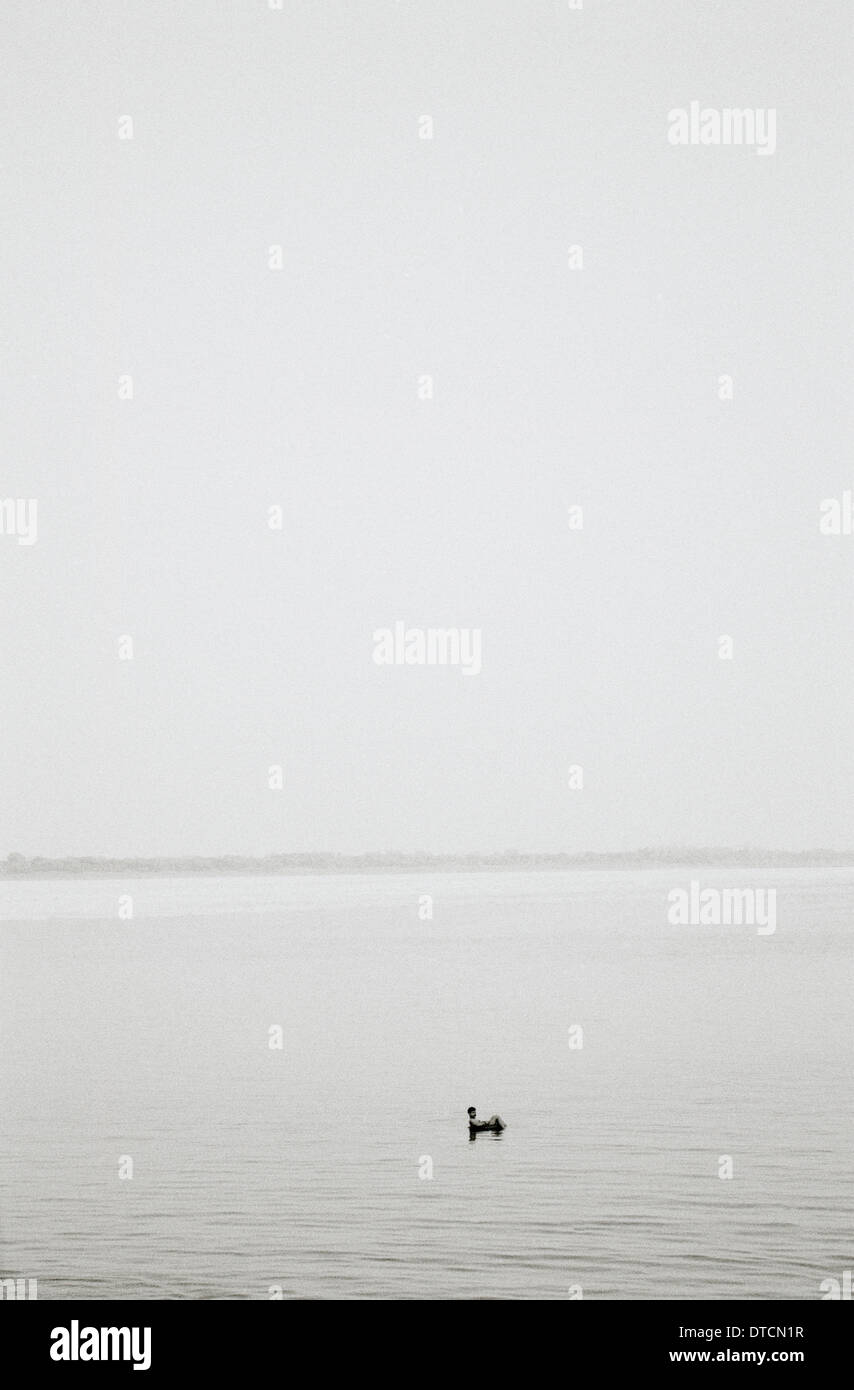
(300, 1167)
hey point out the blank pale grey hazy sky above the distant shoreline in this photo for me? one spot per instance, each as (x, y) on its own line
(300, 387)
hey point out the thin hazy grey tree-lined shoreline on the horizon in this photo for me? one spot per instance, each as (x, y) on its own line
(19, 867)
